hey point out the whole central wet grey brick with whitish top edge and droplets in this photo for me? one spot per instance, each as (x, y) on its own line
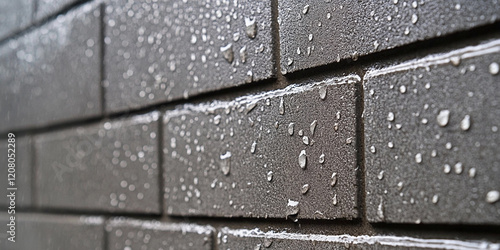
(238, 159)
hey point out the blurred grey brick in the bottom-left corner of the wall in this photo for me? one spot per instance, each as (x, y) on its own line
(42, 231)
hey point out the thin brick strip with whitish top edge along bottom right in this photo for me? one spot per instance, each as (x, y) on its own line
(257, 239)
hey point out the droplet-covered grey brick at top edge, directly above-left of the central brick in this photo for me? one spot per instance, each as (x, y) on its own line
(175, 49)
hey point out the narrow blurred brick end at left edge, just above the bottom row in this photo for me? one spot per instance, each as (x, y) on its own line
(22, 175)
